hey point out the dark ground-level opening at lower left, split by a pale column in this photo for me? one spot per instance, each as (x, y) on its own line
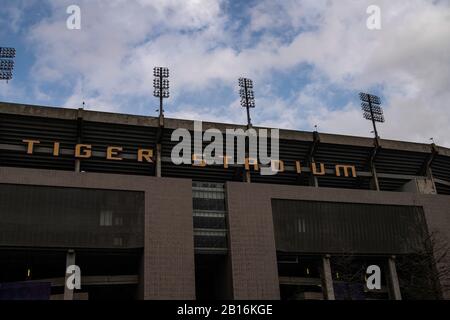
(39, 274)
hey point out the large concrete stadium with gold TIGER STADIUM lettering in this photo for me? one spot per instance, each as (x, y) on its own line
(100, 190)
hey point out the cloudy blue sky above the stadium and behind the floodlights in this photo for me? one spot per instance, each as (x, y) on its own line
(308, 59)
